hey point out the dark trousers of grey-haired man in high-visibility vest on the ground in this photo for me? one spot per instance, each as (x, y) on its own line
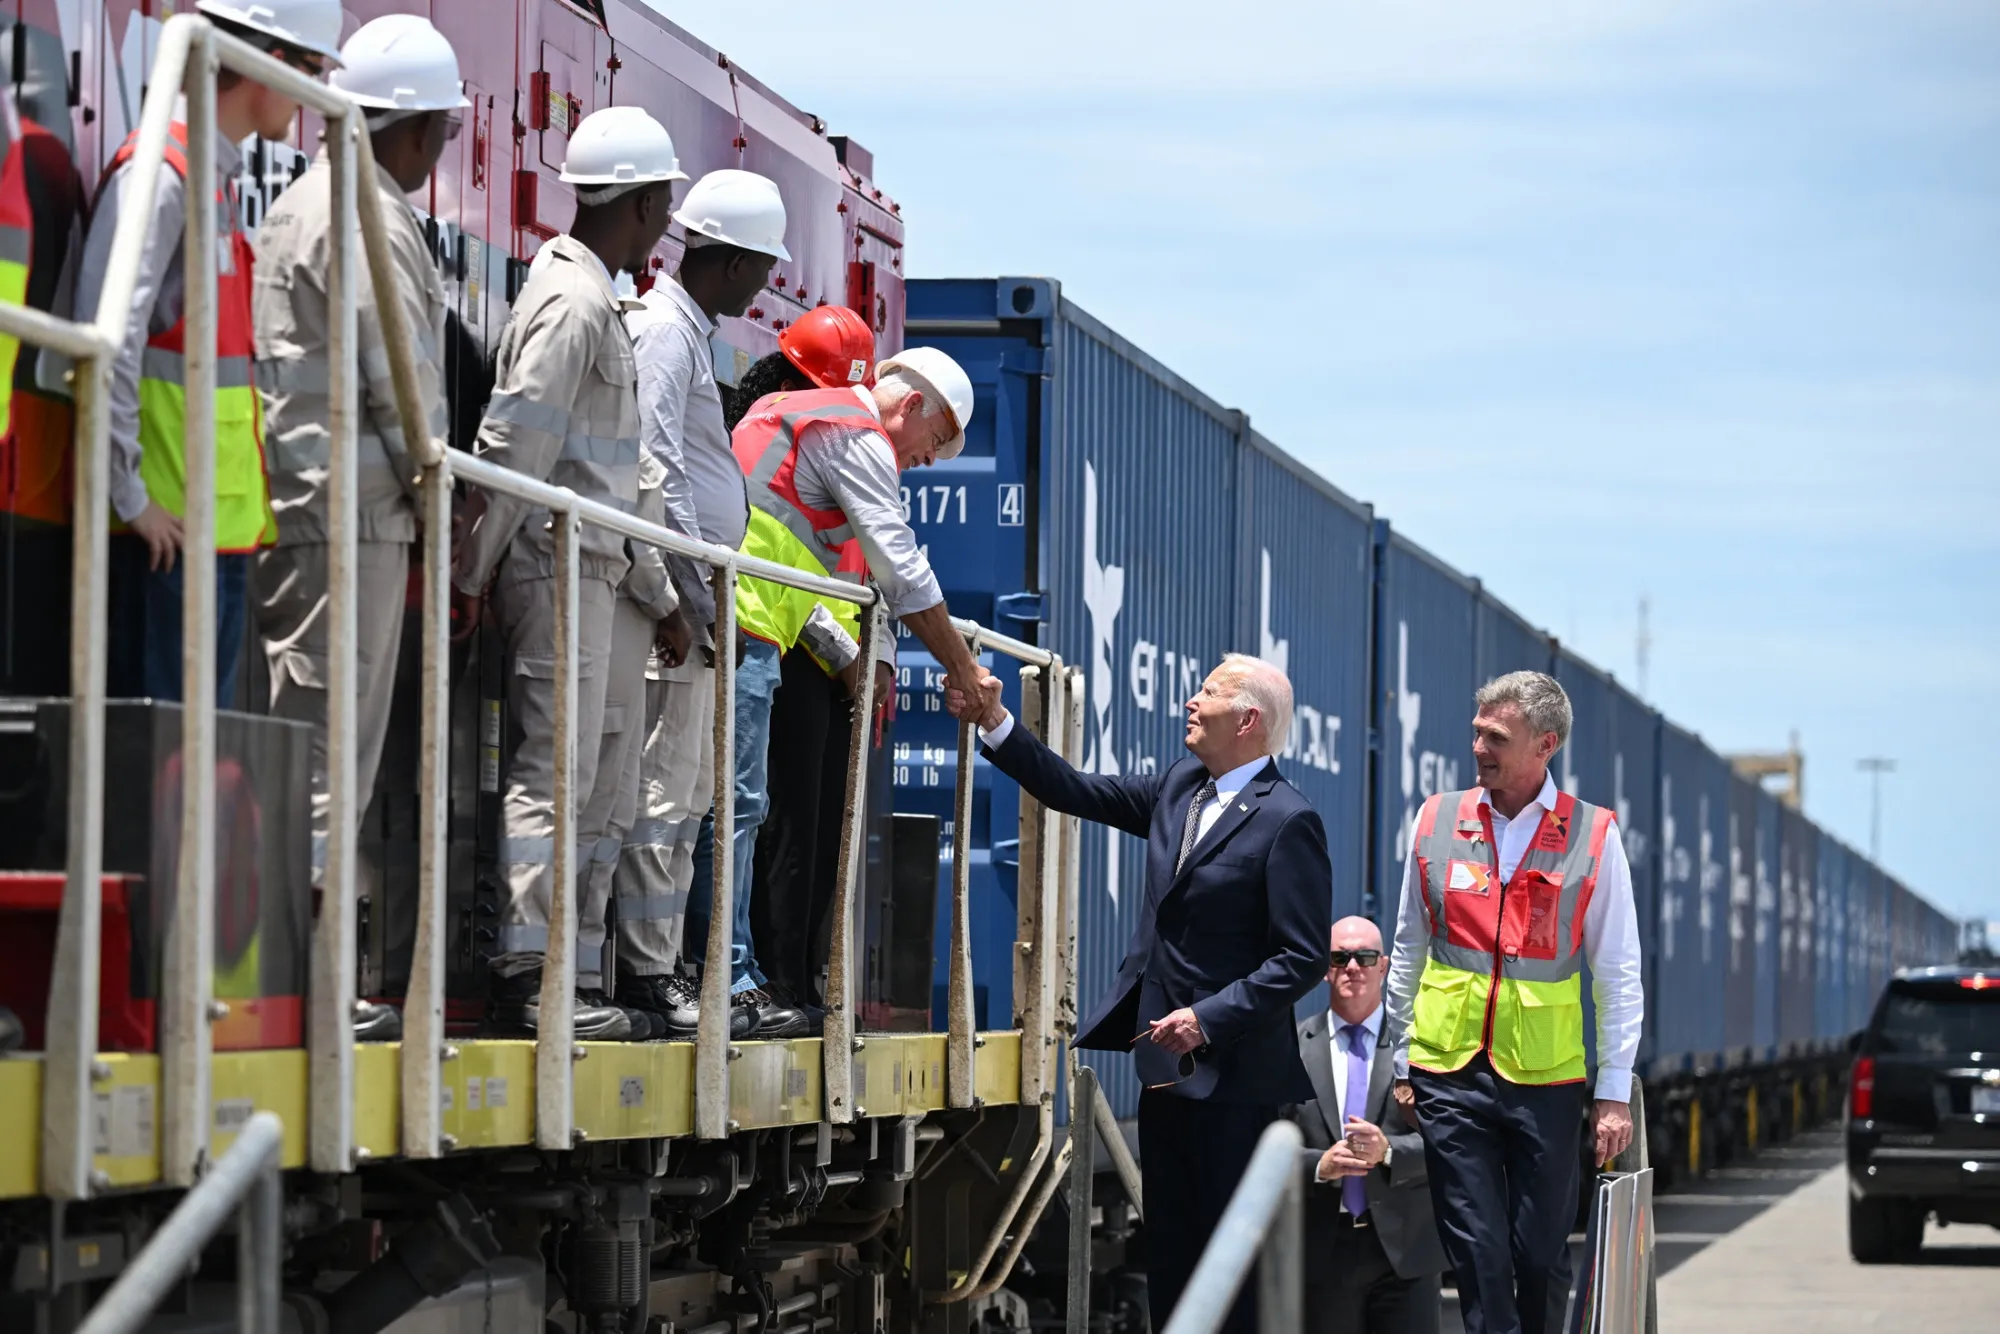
(1503, 1163)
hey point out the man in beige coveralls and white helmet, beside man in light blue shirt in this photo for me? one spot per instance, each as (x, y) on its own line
(565, 411)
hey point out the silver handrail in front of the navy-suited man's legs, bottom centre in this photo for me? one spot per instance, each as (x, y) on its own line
(1263, 1225)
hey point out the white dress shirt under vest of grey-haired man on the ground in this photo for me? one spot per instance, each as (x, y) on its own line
(1611, 947)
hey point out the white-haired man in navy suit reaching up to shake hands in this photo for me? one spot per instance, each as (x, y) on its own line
(1231, 935)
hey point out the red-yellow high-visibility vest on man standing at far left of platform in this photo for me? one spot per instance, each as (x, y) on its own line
(243, 501)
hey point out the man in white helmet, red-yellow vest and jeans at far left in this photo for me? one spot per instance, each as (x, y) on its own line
(147, 385)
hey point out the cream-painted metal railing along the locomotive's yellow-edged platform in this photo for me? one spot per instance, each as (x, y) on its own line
(189, 59)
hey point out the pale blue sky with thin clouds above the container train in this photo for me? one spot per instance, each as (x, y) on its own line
(1709, 291)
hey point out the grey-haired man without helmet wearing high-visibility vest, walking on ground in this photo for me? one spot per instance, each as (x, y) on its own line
(1509, 893)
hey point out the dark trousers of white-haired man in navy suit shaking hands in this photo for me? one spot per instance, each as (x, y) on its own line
(1193, 1155)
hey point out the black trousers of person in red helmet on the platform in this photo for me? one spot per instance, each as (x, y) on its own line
(799, 847)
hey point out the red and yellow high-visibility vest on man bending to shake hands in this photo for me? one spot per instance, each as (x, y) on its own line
(783, 527)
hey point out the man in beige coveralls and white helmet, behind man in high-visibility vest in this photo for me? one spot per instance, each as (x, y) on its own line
(407, 77)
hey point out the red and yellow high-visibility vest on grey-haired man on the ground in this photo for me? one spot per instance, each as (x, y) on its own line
(1505, 971)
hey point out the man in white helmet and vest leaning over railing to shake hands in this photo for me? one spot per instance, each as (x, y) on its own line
(827, 501)
